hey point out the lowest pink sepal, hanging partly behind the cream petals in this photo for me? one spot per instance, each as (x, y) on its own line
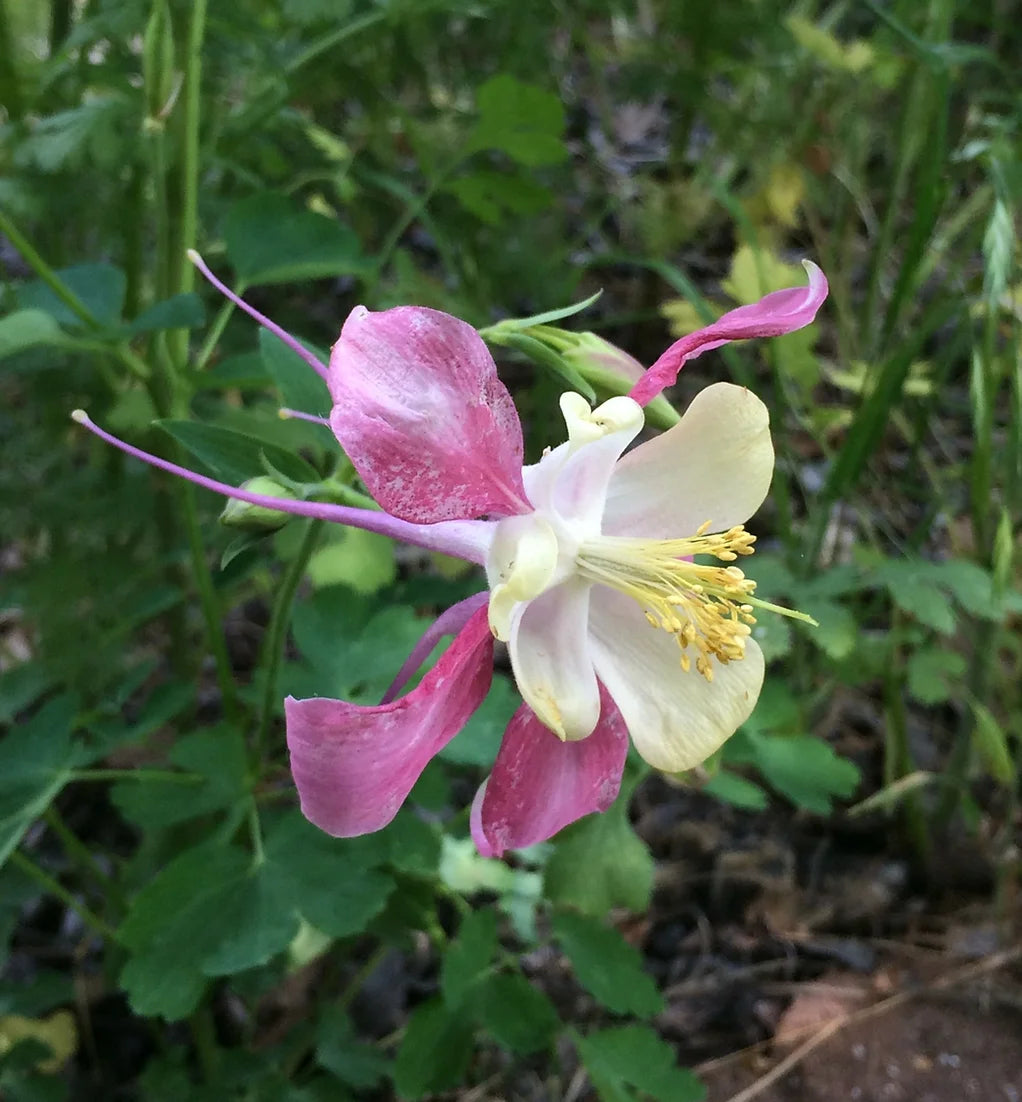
(540, 785)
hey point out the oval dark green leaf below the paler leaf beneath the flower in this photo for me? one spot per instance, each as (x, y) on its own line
(607, 966)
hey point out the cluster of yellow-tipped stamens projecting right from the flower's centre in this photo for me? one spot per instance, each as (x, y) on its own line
(707, 609)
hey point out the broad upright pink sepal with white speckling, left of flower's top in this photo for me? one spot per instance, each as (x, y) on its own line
(421, 412)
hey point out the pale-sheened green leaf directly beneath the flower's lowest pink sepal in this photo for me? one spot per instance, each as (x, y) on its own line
(599, 863)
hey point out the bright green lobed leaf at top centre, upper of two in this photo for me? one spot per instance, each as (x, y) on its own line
(521, 121)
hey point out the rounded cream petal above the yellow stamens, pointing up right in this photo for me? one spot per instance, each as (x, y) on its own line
(716, 466)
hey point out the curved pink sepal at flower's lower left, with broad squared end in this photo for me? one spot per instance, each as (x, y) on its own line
(354, 765)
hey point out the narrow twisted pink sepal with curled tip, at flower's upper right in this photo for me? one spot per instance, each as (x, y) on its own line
(776, 315)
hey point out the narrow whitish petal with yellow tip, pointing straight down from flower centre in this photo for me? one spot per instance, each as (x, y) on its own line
(551, 658)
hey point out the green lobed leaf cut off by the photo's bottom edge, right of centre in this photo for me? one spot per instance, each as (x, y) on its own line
(636, 1057)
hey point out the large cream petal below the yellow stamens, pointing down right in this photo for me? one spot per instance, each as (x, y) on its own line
(676, 719)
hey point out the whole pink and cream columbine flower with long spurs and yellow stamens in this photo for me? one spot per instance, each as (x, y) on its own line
(611, 626)
